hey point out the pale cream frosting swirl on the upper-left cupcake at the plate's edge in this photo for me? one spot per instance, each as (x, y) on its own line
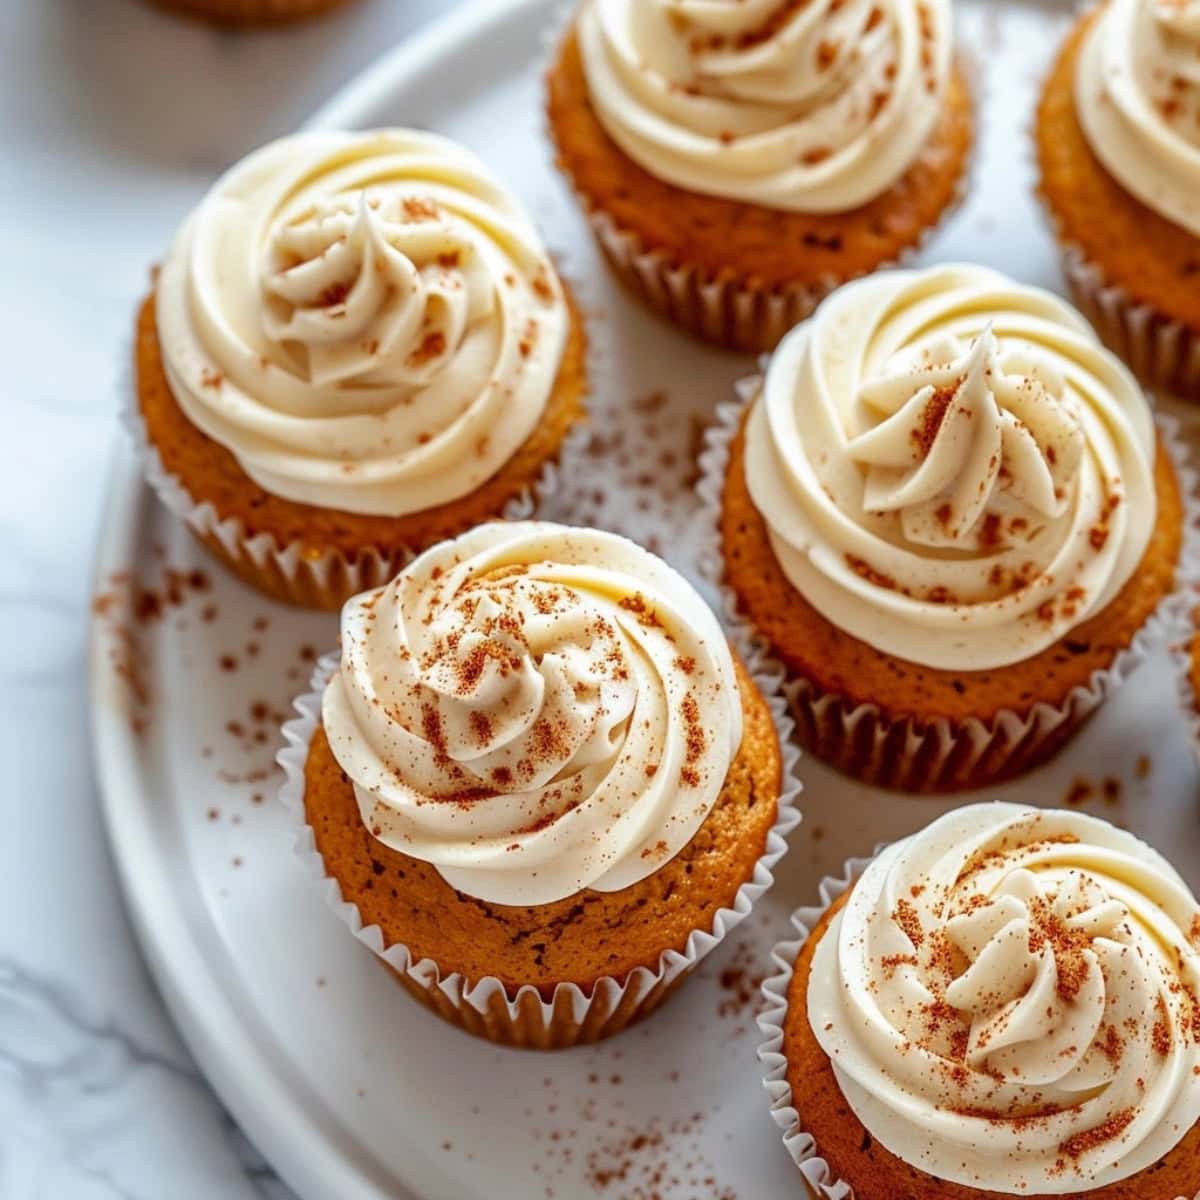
(369, 322)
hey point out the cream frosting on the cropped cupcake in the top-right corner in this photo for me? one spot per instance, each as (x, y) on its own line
(1138, 99)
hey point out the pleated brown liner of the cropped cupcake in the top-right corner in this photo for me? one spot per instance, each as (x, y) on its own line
(1165, 353)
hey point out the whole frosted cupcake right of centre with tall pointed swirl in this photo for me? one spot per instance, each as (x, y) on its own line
(946, 509)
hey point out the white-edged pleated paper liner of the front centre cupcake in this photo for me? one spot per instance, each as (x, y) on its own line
(525, 1018)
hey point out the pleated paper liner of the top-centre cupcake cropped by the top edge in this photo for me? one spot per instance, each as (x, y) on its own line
(729, 311)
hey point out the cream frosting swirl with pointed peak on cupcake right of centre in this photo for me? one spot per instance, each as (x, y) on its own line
(951, 466)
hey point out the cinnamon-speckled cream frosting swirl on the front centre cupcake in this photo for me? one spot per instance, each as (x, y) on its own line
(535, 710)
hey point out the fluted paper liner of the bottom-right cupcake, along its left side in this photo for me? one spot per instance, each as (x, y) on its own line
(800, 1144)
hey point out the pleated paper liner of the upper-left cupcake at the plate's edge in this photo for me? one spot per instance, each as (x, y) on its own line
(292, 573)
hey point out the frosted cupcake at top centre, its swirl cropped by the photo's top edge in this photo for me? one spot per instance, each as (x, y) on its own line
(740, 161)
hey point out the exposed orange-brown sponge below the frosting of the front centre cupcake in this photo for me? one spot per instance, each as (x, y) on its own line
(583, 938)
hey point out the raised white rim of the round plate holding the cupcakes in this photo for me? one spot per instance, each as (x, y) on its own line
(243, 1076)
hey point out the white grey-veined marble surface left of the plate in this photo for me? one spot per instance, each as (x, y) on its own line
(113, 118)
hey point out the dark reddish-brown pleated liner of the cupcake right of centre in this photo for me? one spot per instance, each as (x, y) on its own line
(939, 755)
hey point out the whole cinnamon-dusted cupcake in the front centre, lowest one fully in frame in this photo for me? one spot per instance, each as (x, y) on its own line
(539, 779)
